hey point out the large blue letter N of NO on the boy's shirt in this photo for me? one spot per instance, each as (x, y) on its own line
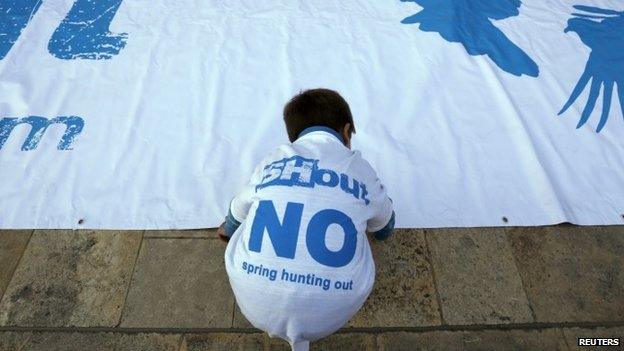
(283, 235)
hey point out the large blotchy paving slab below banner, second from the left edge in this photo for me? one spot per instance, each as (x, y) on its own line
(71, 278)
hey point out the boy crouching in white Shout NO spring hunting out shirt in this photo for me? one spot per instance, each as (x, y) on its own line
(298, 258)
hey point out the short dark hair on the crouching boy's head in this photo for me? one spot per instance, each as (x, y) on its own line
(316, 107)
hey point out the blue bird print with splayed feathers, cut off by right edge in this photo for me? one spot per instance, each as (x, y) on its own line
(602, 31)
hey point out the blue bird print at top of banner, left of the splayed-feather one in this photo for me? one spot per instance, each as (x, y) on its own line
(469, 22)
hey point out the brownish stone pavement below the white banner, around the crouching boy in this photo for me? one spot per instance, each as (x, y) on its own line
(535, 288)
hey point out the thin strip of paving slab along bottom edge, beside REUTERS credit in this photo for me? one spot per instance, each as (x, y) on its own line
(486, 340)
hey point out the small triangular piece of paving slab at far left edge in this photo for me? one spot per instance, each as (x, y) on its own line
(12, 245)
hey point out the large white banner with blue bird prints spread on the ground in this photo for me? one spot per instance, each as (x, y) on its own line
(153, 113)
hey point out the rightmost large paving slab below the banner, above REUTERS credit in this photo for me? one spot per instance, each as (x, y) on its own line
(572, 273)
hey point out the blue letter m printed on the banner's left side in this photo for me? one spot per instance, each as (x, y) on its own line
(38, 126)
